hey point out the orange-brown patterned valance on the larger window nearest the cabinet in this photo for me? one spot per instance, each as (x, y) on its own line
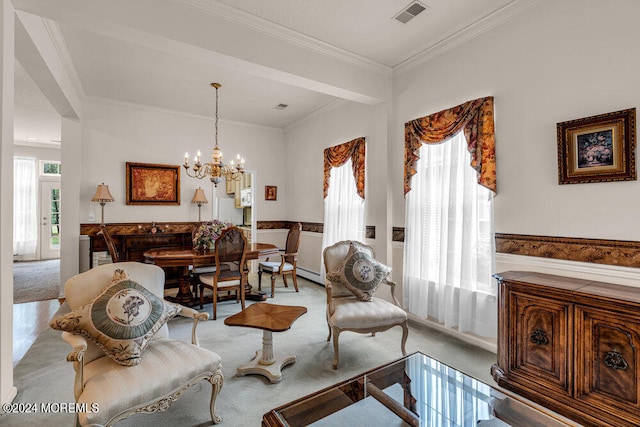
(475, 118)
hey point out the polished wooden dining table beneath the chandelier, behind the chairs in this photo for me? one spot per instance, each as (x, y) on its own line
(184, 257)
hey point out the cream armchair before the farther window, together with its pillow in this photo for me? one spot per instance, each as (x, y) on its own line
(353, 276)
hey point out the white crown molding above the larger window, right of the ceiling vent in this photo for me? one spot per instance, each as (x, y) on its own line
(462, 36)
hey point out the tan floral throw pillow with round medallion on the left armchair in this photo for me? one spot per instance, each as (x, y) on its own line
(121, 320)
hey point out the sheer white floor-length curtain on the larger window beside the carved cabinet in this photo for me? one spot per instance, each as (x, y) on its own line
(449, 252)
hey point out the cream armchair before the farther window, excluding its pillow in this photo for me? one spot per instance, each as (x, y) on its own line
(348, 312)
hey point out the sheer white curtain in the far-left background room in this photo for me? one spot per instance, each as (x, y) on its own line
(25, 217)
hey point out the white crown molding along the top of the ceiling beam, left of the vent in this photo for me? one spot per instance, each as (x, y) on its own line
(283, 33)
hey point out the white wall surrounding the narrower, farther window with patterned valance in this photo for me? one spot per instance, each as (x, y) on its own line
(306, 141)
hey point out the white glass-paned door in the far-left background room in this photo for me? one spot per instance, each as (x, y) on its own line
(50, 201)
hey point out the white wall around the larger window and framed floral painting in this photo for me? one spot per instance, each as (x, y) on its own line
(559, 61)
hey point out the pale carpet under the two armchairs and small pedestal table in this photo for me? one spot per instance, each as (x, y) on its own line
(45, 376)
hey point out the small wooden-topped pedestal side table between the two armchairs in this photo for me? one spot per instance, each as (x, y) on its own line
(270, 318)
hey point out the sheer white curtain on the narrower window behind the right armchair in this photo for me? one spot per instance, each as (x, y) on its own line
(343, 209)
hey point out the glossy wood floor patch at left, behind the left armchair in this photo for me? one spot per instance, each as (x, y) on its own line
(29, 320)
